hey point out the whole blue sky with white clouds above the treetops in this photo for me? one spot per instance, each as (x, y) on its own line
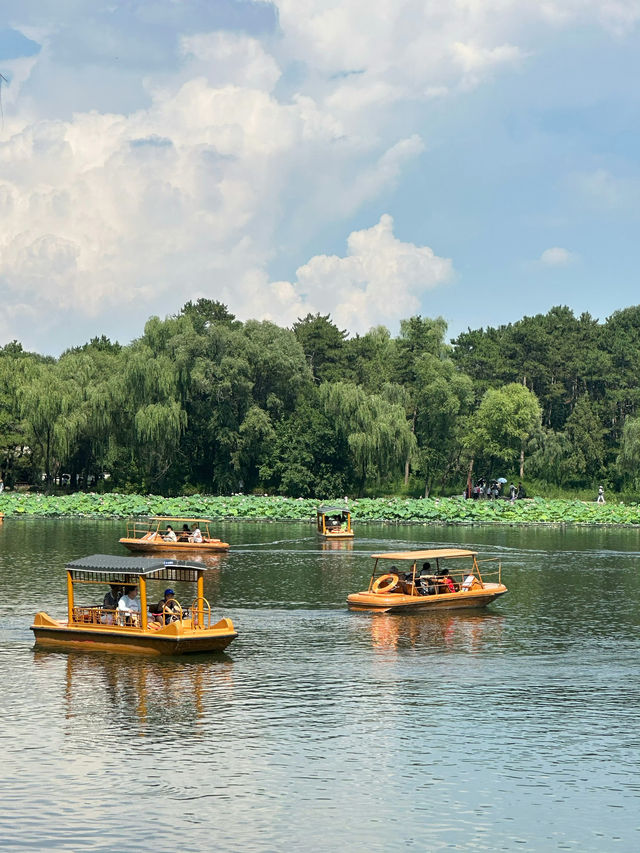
(372, 160)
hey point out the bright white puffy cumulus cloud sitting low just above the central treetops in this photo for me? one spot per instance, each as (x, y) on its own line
(379, 281)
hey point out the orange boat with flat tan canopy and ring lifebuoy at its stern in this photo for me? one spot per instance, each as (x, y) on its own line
(426, 583)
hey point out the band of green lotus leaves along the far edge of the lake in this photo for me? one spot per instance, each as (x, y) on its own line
(439, 510)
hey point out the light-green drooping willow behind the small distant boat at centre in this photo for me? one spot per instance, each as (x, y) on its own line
(377, 431)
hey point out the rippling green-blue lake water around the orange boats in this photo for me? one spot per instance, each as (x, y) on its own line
(322, 729)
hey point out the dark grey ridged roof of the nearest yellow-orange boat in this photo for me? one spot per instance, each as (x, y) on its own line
(107, 567)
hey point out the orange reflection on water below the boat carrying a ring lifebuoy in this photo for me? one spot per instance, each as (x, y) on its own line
(459, 632)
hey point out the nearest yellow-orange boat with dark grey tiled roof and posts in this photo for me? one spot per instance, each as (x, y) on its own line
(175, 630)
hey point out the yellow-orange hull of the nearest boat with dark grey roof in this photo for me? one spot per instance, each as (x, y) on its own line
(174, 639)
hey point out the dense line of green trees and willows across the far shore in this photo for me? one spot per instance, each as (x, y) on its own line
(204, 403)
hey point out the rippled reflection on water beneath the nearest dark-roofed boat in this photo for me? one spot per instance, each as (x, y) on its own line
(151, 690)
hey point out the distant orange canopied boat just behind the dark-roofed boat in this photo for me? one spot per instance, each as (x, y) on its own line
(153, 536)
